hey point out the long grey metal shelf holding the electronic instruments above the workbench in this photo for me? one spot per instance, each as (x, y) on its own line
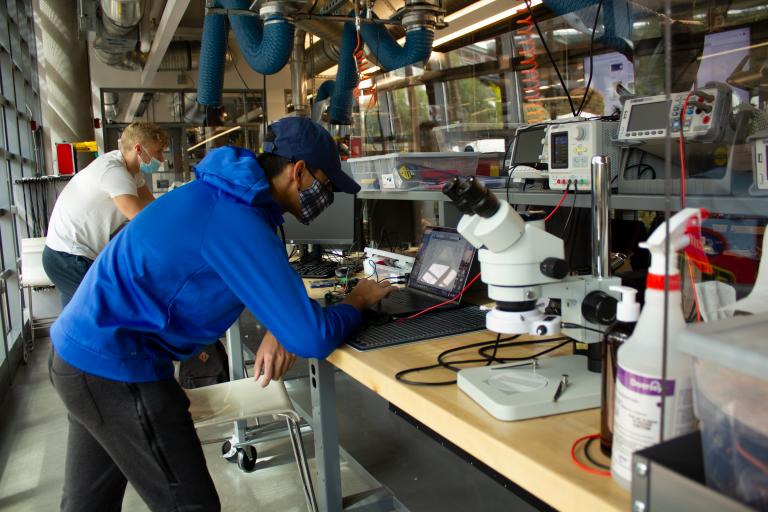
(732, 205)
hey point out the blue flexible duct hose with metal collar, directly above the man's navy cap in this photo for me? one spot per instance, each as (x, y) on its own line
(419, 21)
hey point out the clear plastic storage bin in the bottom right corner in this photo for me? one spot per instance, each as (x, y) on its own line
(730, 381)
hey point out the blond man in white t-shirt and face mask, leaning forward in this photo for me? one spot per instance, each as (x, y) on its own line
(96, 203)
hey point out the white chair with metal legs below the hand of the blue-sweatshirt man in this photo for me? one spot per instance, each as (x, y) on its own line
(245, 398)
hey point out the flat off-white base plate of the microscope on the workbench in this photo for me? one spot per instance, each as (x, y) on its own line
(517, 392)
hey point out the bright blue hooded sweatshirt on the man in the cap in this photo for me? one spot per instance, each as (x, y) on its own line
(180, 274)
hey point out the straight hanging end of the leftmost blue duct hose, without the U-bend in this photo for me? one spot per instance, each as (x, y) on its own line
(212, 53)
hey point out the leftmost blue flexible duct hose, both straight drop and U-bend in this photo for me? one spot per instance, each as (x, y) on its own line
(265, 42)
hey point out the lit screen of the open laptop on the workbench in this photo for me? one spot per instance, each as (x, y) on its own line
(443, 263)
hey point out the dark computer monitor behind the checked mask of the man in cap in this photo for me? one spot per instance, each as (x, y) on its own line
(335, 226)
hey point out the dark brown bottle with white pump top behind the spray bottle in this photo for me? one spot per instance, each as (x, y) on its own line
(627, 313)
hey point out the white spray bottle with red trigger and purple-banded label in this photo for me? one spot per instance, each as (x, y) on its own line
(641, 389)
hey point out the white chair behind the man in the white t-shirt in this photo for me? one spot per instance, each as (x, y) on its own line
(32, 276)
